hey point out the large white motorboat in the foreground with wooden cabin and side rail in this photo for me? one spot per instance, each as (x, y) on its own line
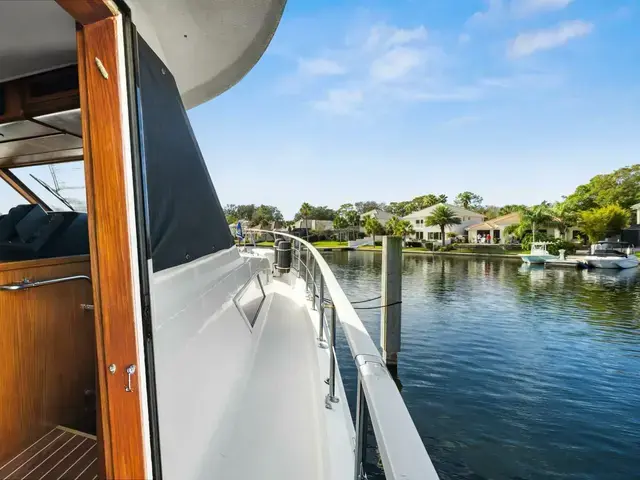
(138, 342)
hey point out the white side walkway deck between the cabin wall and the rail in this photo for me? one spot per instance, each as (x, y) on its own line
(277, 429)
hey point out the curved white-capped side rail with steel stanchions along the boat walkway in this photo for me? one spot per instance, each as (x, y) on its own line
(402, 451)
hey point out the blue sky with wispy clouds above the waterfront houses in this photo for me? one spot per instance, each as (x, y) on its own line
(517, 100)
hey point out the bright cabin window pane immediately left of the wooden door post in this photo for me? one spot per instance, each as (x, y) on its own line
(61, 186)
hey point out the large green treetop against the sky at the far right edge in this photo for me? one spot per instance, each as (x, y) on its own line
(621, 187)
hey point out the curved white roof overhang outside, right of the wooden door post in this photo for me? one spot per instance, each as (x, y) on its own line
(209, 45)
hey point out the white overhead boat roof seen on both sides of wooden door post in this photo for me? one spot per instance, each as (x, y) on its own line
(209, 45)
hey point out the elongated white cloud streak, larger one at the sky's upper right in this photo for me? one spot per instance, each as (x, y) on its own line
(528, 43)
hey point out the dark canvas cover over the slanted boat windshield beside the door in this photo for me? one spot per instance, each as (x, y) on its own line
(186, 220)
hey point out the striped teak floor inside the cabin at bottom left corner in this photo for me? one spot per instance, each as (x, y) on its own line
(60, 454)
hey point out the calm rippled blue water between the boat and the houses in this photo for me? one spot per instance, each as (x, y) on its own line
(513, 373)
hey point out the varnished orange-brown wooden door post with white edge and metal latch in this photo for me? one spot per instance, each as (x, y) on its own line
(114, 257)
